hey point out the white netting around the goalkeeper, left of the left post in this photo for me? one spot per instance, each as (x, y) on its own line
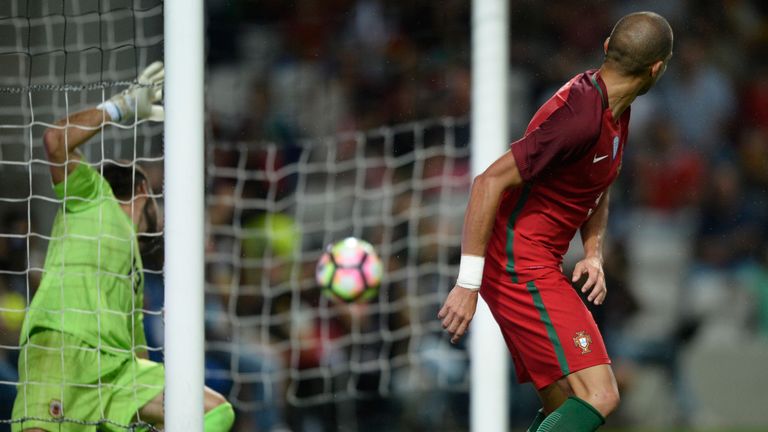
(57, 58)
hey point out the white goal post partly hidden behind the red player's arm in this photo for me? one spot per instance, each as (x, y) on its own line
(489, 404)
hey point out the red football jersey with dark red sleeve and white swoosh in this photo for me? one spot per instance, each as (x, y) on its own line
(569, 156)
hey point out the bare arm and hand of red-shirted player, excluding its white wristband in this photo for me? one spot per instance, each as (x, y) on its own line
(487, 189)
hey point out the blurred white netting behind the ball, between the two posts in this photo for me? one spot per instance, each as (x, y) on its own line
(271, 210)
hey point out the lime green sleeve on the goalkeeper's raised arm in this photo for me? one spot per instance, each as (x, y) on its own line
(81, 188)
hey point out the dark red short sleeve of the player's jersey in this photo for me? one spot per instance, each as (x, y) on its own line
(563, 136)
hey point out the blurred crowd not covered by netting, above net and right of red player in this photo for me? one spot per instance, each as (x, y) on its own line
(687, 255)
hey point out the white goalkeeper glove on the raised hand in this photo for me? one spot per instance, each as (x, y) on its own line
(137, 102)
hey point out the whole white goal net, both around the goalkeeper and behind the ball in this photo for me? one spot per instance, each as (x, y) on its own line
(275, 346)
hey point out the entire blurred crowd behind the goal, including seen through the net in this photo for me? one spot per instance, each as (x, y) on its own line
(687, 251)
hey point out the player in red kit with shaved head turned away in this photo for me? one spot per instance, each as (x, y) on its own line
(523, 212)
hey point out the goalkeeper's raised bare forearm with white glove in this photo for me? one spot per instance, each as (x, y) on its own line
(136, 103)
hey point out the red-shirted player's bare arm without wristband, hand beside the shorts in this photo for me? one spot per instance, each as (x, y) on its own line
(592, 234)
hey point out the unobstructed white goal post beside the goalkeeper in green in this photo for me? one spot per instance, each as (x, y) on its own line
(184, 209)
